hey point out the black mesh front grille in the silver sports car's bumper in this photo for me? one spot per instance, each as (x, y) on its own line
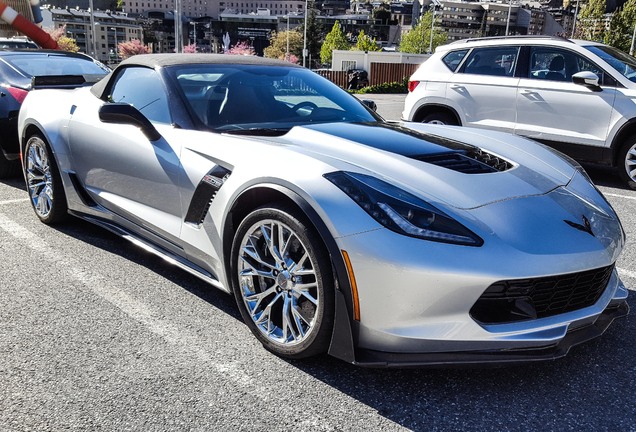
(525, 299)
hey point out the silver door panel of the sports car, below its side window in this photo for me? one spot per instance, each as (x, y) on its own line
(126, 173)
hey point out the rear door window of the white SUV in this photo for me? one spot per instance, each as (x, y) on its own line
(500, 61)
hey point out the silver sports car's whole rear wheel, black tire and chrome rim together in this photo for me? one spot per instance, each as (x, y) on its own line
(43, 181)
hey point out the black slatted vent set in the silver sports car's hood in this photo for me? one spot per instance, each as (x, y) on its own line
(468, 162)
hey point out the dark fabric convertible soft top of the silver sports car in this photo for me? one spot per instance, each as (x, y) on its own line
(155, 61)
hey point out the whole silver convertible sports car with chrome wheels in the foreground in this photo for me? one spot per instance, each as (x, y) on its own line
(378, 243)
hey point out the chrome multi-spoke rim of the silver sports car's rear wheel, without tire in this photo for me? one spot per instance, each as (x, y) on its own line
(39, 177)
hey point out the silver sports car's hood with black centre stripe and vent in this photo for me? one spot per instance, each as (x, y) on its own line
(461, 167)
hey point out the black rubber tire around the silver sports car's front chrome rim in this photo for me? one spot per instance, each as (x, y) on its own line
(317, 341)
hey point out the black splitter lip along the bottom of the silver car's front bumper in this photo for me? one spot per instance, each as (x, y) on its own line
(371, 358)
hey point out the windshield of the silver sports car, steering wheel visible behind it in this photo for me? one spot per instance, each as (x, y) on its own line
(264, 99)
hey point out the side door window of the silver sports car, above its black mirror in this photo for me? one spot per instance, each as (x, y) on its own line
(143, 89)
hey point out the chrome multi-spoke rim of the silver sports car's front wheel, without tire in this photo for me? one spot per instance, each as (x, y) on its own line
(278, 283)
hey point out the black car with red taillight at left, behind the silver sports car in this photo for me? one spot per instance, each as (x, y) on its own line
(17, 69)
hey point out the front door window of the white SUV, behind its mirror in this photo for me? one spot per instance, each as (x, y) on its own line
(556, 64)
